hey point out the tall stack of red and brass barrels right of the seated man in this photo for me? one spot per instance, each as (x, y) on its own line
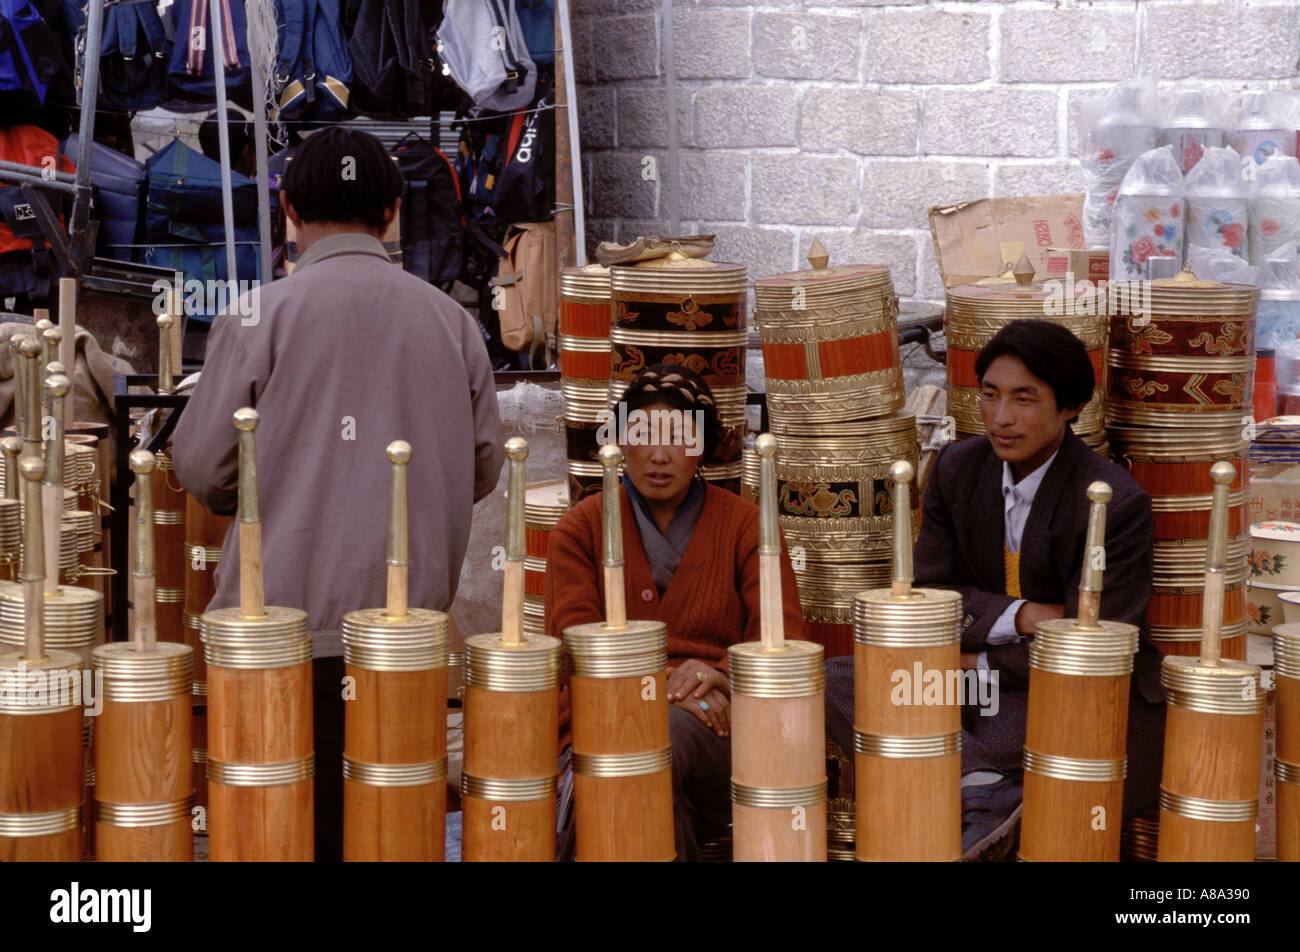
(1178, 401)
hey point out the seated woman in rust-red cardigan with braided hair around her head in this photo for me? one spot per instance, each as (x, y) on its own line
(691, 553)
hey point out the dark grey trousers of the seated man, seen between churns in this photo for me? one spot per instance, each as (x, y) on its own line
(998, 743)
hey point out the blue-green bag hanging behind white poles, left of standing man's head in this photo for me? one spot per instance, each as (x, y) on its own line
(184, 217)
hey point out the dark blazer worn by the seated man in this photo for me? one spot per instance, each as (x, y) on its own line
(961, 548)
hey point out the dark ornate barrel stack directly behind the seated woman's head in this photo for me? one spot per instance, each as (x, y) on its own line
(688, 311)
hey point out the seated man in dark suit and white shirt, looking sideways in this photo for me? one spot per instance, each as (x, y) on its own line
(1004, 522)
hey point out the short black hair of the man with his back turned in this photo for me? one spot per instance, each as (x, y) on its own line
(319, 191)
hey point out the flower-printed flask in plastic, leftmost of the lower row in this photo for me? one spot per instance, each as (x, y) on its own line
(1149, 217)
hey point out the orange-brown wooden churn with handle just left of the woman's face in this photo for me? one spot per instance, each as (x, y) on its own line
(618, 683)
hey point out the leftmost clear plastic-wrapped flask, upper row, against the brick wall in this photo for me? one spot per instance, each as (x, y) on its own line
(1115, 129)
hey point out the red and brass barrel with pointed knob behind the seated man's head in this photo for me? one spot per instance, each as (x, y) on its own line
(977, 313)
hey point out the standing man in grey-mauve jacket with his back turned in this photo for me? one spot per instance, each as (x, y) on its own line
(340, 360)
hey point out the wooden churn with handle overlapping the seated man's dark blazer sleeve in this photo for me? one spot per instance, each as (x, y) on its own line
(1080, 674)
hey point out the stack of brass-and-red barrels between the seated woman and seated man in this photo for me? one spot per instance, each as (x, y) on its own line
(834, 395)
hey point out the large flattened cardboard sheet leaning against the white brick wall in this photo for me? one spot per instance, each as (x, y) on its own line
(977, 240)
